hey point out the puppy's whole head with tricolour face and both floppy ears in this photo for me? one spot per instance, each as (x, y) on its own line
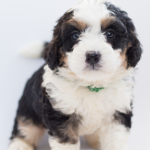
(94, 40)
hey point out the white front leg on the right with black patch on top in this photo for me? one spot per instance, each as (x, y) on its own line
(115, 134)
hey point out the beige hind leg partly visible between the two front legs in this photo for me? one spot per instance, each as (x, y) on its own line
(93, 140)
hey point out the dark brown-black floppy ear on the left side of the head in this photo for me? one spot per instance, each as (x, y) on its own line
(53, 51)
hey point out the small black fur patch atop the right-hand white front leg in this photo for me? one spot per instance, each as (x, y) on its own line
(124, 118)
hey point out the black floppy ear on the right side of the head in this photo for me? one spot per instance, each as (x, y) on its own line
(134, 52)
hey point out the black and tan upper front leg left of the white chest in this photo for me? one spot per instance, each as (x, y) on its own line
(61, 126)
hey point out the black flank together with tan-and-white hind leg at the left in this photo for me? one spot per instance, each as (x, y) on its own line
(28, 126)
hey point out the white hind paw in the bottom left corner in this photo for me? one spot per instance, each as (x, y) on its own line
(18, 144)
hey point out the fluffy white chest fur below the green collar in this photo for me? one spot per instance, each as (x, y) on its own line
(94, 107)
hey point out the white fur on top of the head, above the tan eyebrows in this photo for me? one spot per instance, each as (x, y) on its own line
(91, 11)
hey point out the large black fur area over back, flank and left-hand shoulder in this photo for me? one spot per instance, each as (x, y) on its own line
(35, 106)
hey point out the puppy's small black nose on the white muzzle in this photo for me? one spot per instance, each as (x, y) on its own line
(92, 57)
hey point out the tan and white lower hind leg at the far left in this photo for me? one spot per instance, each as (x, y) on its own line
(25, 135)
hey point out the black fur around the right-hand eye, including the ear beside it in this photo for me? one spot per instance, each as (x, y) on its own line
(126, 36)
